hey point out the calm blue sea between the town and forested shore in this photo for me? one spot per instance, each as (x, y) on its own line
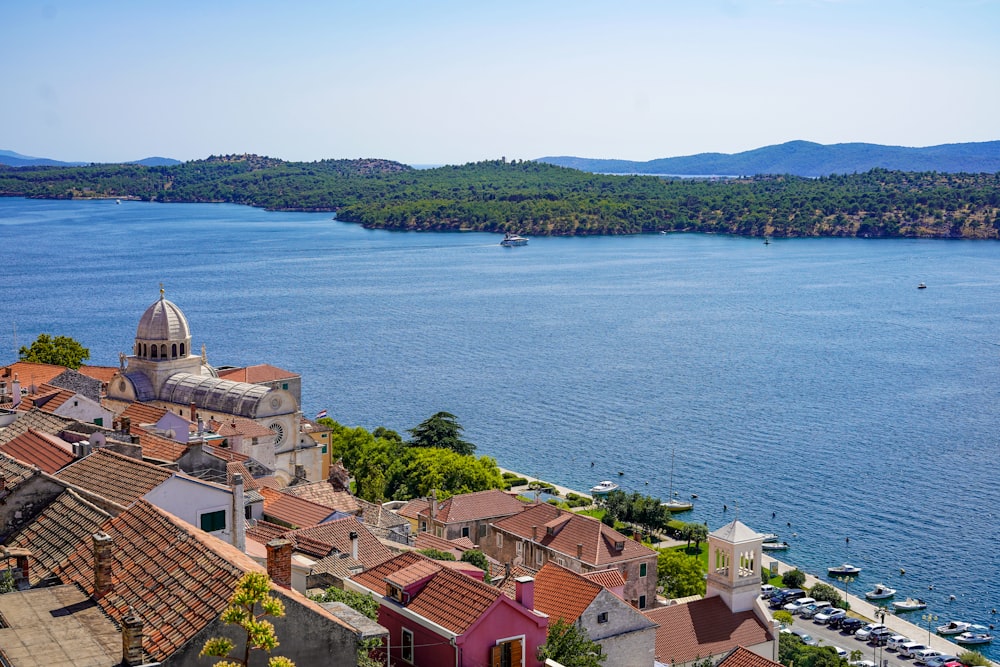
(809, 378)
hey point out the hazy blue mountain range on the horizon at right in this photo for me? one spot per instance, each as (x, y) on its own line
(805, 158)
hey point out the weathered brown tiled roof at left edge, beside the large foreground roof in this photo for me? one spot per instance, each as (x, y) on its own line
(57, 531)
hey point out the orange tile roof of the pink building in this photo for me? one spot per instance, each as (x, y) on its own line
(450, 599)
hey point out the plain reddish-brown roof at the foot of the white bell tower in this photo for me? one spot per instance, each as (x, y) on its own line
(703, 628)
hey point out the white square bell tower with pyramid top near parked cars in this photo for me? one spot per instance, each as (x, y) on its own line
(734, 564)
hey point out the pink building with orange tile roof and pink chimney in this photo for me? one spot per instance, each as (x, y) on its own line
(436, 615)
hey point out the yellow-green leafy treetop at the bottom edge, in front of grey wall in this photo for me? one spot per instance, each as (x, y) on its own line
(252, 590)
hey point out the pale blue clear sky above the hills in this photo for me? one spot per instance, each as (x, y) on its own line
(441, 82)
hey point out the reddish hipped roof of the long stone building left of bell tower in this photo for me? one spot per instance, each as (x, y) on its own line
(597, 539)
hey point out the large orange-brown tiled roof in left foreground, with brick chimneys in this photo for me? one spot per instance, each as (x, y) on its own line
(177, 578)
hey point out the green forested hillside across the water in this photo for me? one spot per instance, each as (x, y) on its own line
(540, 199)
